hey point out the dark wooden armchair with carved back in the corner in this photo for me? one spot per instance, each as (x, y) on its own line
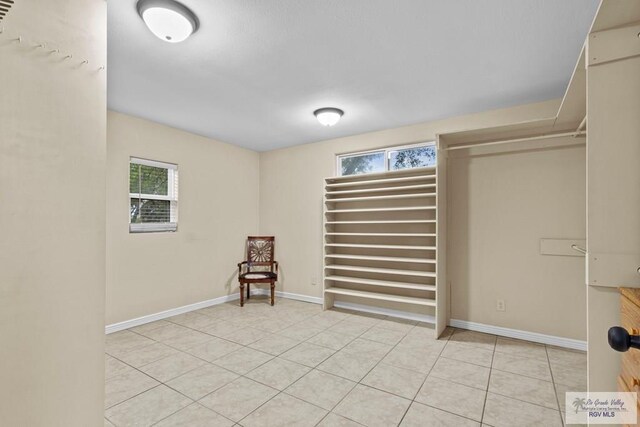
(259, 265)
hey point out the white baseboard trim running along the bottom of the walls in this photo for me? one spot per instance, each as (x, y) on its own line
(456, 323)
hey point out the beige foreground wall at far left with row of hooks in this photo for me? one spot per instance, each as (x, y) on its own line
(52, 204)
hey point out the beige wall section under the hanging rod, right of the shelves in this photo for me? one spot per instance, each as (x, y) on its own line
(500, 206)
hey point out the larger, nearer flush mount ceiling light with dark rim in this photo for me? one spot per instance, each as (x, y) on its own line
(168, 20)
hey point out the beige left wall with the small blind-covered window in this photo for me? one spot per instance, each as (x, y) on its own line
(218, 207)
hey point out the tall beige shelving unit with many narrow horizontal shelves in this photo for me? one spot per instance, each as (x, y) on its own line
(382, 238)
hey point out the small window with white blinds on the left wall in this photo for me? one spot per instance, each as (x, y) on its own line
(153, 196)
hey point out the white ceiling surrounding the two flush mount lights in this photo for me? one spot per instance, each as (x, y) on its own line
(255, 71)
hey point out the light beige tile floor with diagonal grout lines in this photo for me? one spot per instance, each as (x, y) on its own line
(295, 365)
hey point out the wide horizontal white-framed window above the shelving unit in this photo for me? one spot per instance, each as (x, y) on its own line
(389, 159)
